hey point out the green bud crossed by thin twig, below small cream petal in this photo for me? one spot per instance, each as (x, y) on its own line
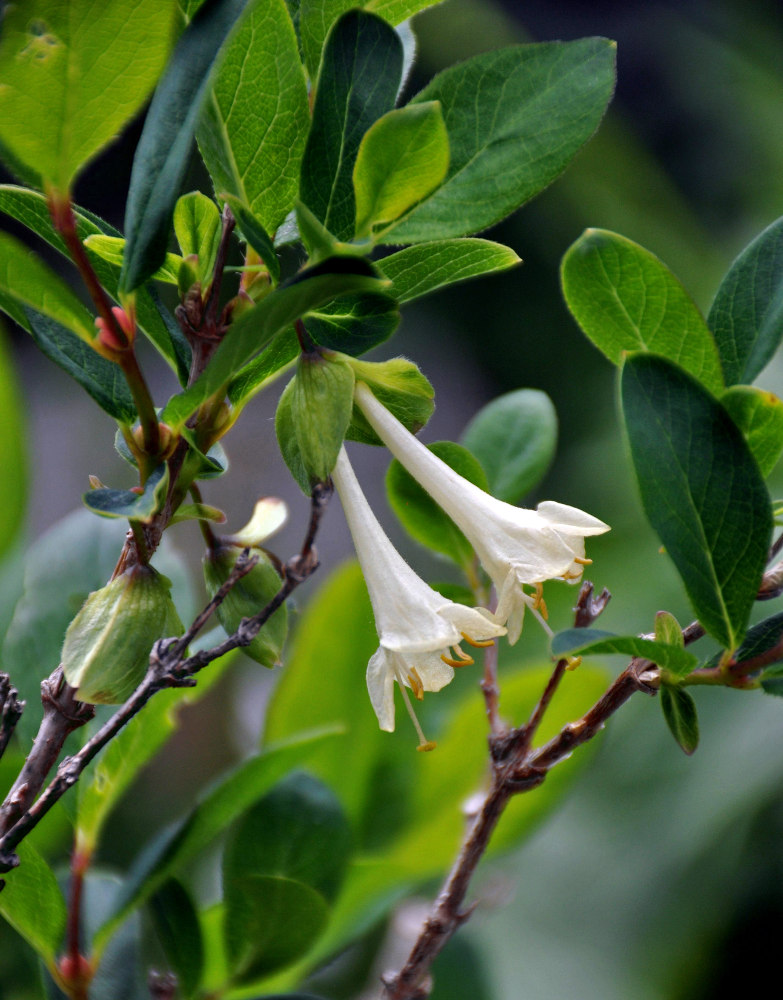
(246, 598)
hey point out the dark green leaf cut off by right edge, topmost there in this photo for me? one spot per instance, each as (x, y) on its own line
(746, 317)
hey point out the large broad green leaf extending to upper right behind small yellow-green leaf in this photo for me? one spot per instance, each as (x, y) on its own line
(515, 119)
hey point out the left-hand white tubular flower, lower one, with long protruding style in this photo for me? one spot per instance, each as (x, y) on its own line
(419, 630)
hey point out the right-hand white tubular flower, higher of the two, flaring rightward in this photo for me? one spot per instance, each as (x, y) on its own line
(515, 546)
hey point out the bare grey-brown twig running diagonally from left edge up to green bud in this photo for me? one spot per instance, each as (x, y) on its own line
(168, 668)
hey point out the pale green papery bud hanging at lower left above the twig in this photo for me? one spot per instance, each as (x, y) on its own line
(107, 646)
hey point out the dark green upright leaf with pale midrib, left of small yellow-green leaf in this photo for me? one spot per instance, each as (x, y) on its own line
(357, 83)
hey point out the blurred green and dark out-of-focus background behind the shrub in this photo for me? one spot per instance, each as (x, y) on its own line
(659, 876)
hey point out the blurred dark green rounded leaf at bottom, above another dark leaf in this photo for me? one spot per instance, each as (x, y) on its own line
(298, 830)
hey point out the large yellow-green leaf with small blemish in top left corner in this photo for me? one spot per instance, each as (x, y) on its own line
(74, 74)
